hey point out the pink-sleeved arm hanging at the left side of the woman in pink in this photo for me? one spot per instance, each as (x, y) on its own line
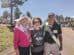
(15, 41)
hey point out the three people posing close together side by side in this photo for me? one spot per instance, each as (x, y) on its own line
(33, 37)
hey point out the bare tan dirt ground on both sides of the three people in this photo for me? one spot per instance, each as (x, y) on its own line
(68, 43)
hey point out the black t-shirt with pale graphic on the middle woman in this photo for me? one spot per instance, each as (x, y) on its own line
(37, 38)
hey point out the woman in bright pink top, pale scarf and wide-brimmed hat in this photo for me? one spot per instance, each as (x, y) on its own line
(22, 35)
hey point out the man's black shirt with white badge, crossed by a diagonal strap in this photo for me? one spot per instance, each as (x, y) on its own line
(56, 29)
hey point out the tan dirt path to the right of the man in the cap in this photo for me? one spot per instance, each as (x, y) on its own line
(68, 41)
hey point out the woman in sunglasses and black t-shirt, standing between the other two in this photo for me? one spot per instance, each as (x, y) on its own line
(37, 44)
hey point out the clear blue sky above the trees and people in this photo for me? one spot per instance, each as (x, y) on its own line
(41, 8)
